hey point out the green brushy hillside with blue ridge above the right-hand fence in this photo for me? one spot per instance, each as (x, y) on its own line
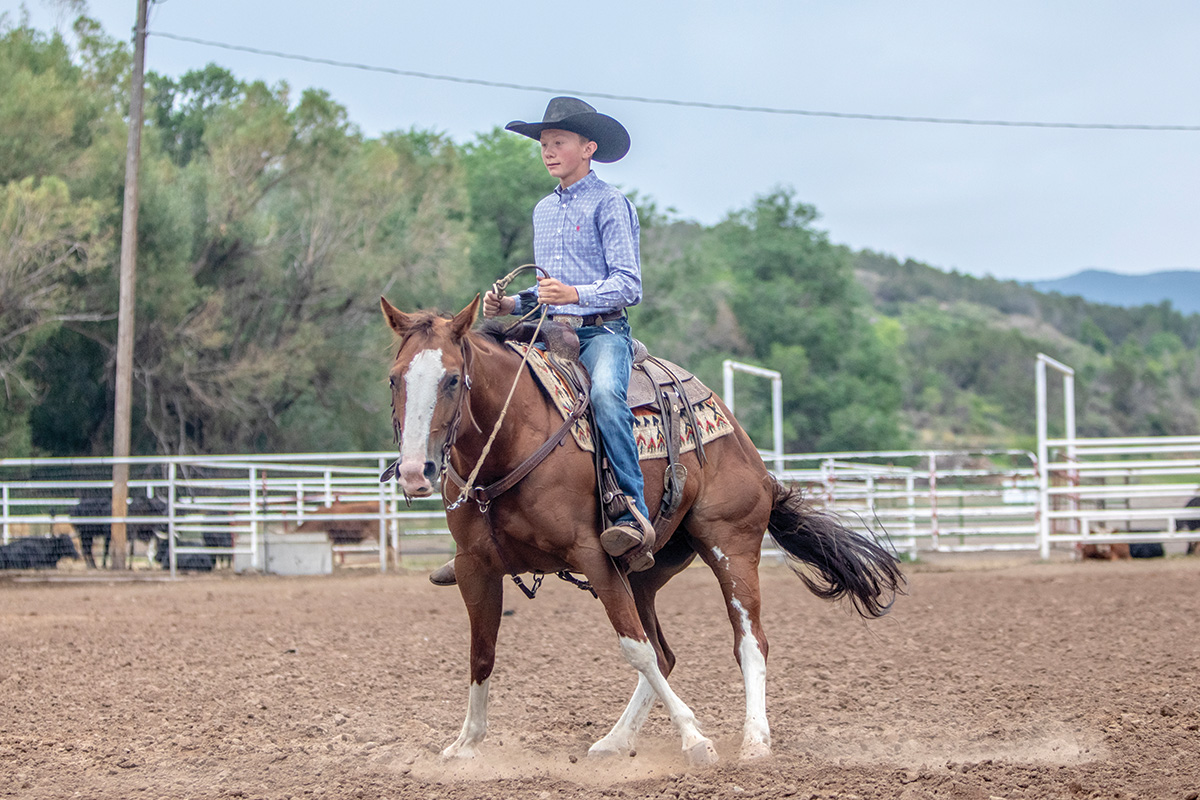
(967, 350)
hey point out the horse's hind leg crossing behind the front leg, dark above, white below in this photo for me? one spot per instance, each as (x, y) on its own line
(623, 737)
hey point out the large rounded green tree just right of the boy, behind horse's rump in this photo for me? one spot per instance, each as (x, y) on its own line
(766, 286)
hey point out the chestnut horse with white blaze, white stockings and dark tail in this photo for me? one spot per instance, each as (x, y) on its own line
(448, 388)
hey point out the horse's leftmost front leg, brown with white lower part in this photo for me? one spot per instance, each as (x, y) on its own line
(484, 596)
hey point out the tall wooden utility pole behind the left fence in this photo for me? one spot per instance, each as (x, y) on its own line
(122, 422)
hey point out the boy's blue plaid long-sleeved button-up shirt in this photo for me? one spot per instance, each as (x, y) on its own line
(586, 236)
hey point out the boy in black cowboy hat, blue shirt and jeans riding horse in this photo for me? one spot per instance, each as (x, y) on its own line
(586, 237)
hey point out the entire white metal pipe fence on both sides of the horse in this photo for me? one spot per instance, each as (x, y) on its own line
(947, 502)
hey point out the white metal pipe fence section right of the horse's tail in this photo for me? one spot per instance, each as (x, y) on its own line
(958, 502)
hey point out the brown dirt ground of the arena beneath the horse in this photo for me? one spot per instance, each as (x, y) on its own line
(998, 681)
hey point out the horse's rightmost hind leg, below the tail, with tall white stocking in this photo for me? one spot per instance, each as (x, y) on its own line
(739, 575)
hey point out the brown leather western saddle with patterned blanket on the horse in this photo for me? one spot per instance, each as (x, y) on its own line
(657, 387)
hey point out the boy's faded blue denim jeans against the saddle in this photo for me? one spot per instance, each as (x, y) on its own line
(608, 353)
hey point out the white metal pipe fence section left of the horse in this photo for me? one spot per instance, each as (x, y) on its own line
(229, 500)
